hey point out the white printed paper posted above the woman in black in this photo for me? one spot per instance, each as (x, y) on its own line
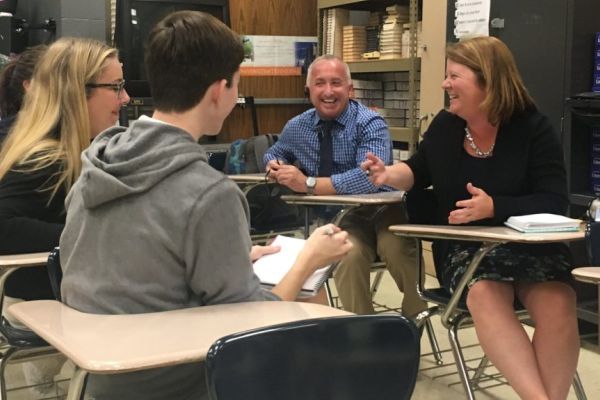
(471, 18)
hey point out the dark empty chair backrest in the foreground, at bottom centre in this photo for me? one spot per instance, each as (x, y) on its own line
(351, 357)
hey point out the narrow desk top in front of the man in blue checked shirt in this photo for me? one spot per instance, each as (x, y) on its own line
(379, 198)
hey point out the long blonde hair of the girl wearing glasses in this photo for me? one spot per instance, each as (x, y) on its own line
(53, 124)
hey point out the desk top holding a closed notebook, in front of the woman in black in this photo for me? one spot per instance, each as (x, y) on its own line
(497, 234)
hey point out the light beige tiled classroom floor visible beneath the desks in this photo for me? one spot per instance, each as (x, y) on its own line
(434, 382)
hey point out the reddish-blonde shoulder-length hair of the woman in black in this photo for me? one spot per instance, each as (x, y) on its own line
(497, 73)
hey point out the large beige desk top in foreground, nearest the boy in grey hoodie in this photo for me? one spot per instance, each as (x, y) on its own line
(120, 343)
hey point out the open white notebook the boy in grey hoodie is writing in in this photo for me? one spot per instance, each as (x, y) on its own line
(271, 268)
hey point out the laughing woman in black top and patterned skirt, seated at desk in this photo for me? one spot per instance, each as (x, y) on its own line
(490, 156)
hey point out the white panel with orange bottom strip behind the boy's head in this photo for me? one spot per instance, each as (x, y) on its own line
(277, 55)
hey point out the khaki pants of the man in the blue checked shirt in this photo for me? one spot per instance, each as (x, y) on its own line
(368, 230)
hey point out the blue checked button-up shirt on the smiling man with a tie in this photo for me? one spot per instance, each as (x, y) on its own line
(357, 131)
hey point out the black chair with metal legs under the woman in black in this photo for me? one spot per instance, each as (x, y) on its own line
(421, 208)
